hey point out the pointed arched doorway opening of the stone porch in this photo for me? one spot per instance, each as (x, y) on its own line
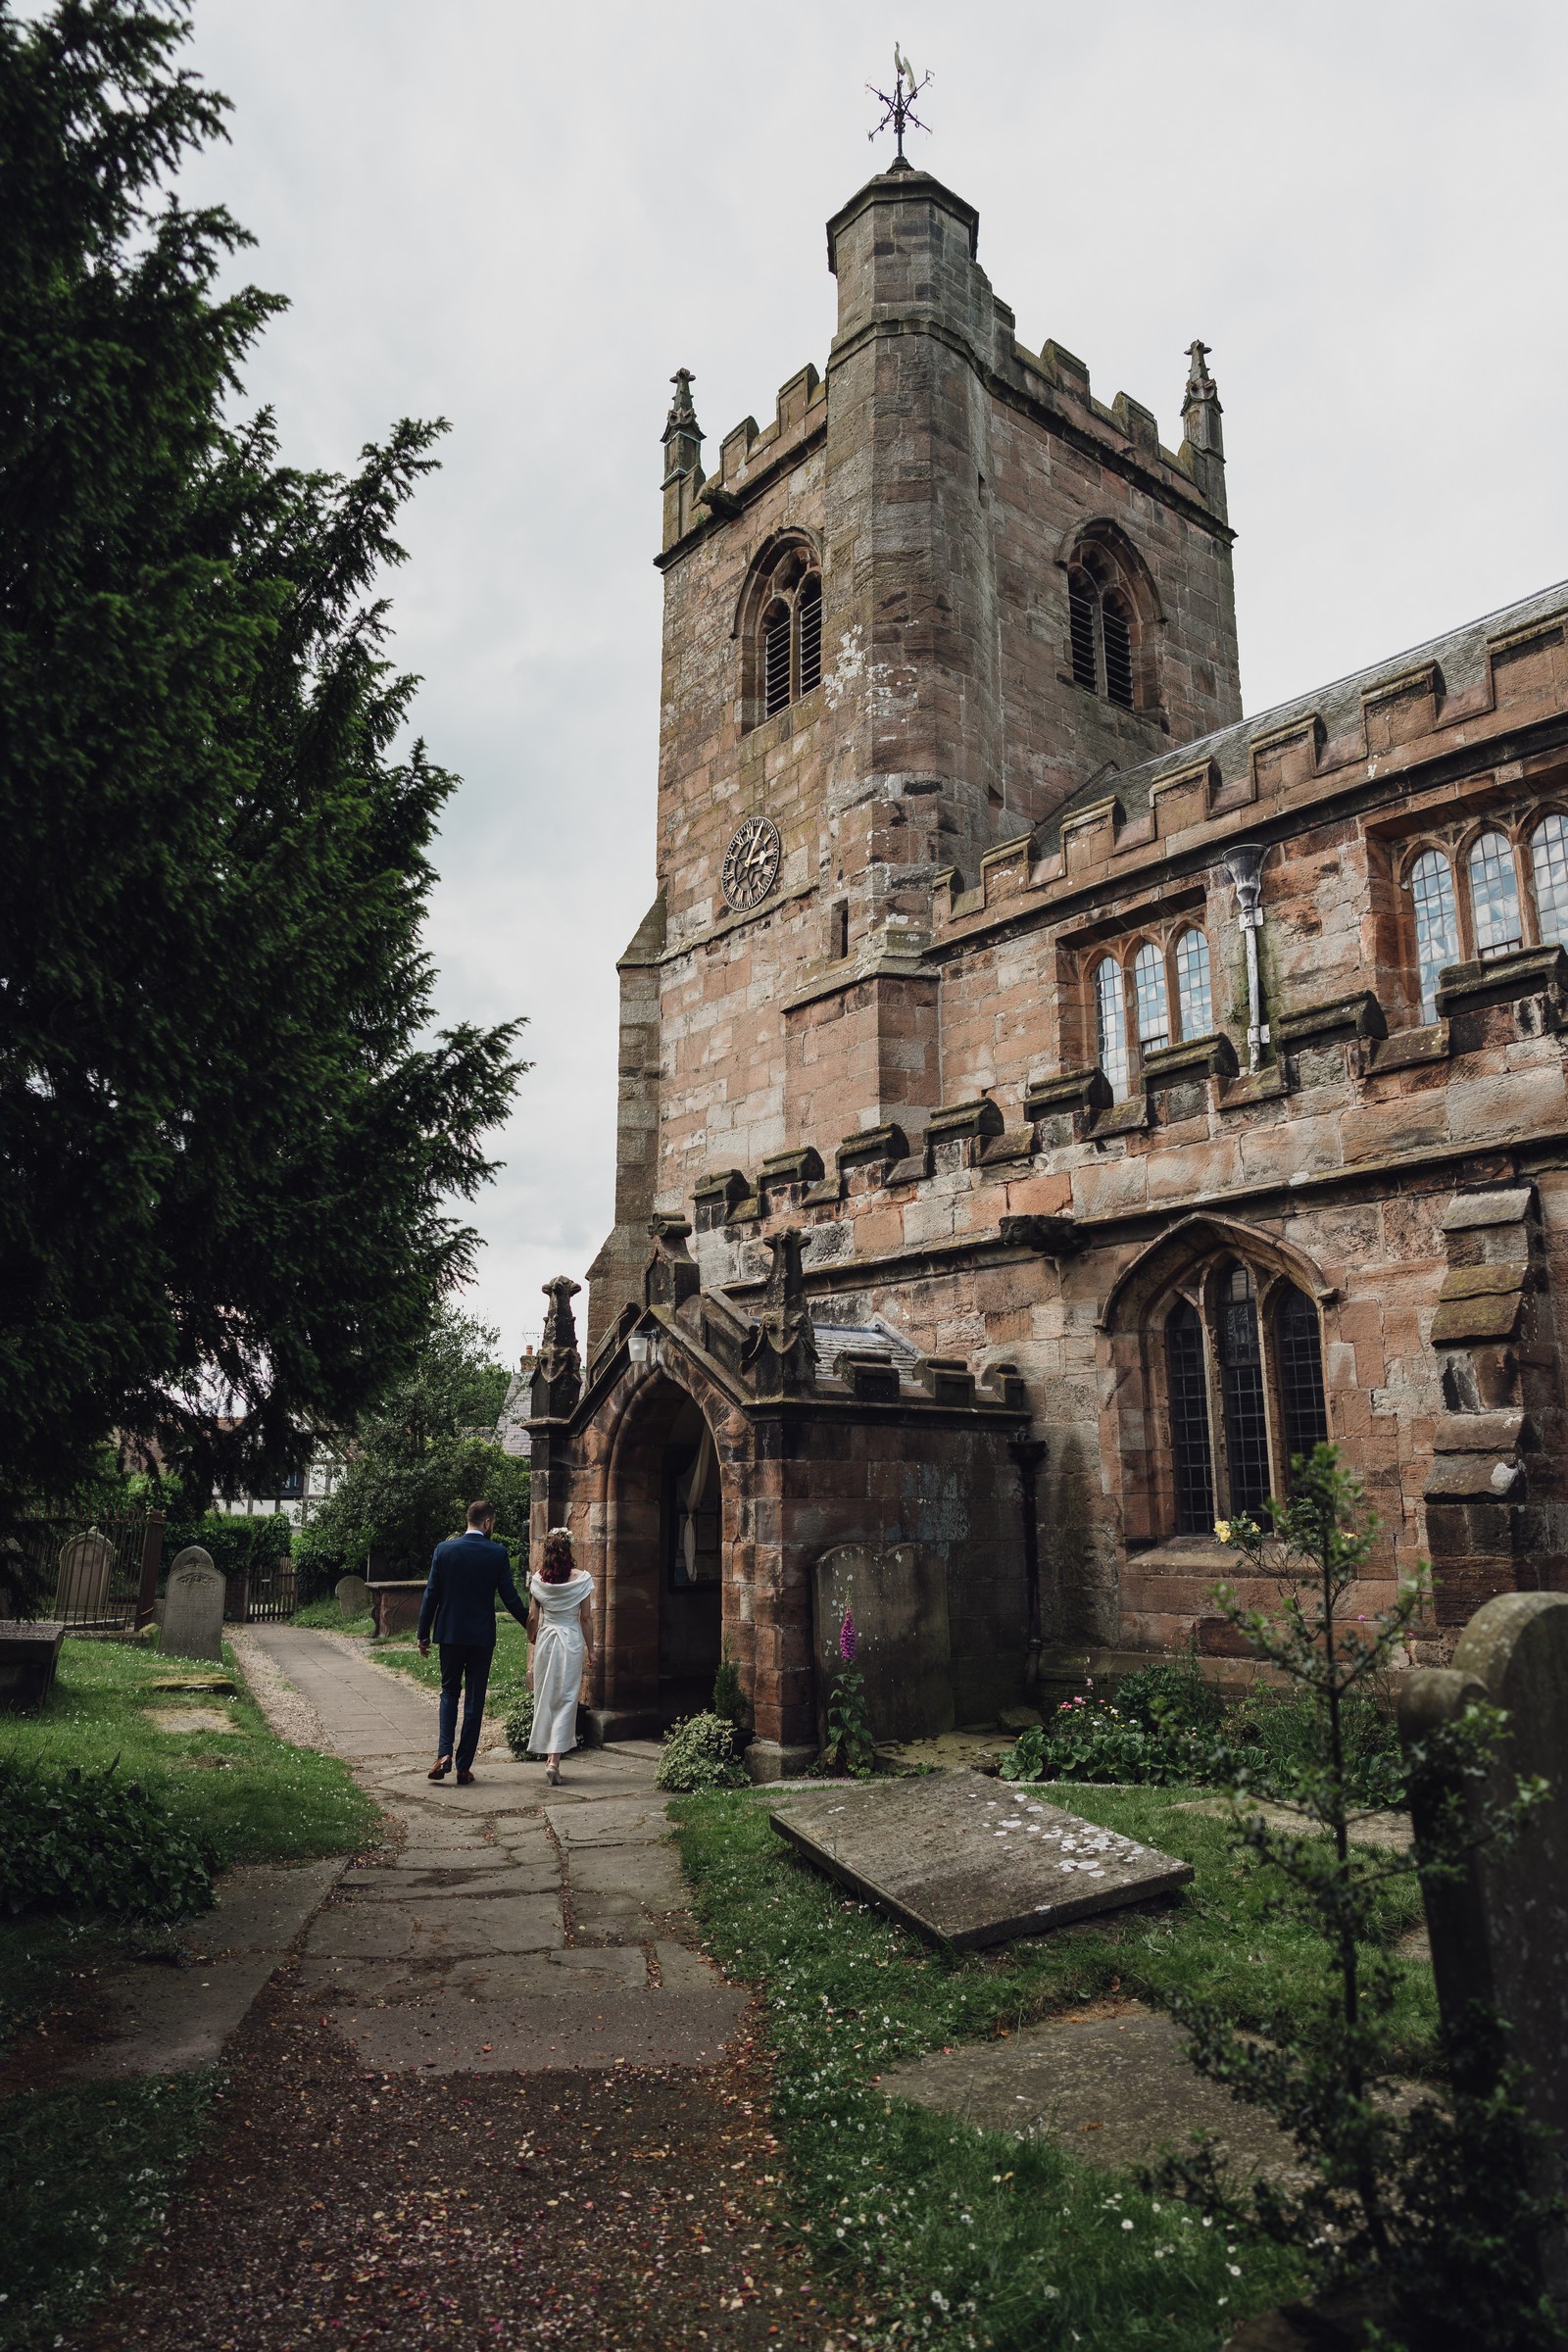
(664, 1619)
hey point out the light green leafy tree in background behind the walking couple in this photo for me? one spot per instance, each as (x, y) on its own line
(420, 1459)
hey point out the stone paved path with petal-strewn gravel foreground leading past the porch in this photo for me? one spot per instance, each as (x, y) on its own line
(492, 2094)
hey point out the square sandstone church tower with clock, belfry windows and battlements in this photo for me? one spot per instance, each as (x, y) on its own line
(934, 599)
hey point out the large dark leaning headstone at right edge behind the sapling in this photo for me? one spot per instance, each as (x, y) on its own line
(1501, 1932)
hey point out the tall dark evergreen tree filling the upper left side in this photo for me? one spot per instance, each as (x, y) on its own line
(229, 1142)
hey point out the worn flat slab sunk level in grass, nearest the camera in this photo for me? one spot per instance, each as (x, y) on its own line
(1108, 2087)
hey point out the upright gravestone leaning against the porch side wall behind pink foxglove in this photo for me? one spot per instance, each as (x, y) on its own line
(899, 1601)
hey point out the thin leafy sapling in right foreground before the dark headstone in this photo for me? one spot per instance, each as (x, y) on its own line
(1419, 2219)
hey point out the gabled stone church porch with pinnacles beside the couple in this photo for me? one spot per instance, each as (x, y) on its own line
(737, 1483)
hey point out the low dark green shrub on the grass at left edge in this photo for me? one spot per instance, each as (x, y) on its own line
(91, 1843)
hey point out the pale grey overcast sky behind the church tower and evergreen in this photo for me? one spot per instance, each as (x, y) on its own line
(525, 218)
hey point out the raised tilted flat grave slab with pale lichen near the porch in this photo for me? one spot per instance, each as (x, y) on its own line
(972, 1862)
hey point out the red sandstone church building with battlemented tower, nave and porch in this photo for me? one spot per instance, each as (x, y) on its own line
(1050, 1102)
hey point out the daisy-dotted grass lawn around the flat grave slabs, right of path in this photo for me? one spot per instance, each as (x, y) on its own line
(970, 2238)
